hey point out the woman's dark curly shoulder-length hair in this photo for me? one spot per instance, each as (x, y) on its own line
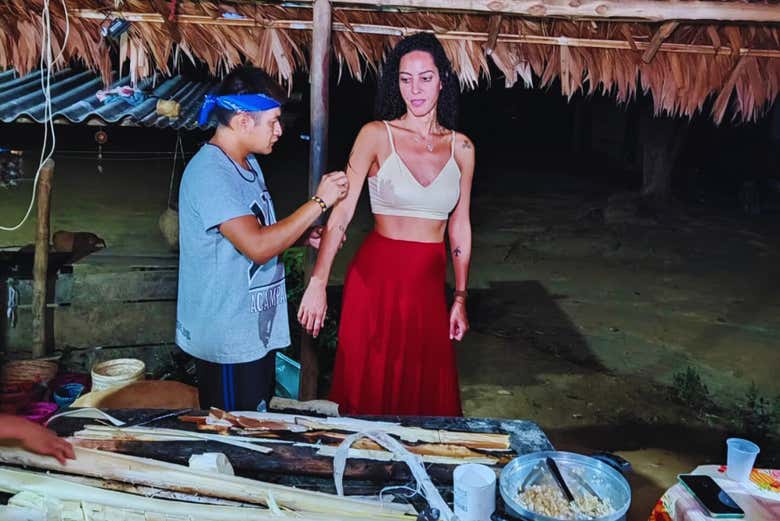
(390, 105)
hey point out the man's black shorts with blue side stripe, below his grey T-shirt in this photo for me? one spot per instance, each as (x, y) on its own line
(237, 387)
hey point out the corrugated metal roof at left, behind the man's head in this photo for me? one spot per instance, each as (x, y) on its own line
(74, 100)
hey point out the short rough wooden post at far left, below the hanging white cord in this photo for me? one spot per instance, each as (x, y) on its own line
(41, 264)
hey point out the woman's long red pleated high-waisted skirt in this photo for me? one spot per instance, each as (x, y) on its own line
(394, 353)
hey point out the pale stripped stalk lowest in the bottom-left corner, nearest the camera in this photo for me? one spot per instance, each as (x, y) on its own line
(16, 481)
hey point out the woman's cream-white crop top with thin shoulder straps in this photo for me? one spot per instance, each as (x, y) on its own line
(395, 191)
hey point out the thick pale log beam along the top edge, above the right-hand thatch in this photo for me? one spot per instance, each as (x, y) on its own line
(639, 10)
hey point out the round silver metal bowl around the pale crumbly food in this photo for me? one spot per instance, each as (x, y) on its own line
(531, 469)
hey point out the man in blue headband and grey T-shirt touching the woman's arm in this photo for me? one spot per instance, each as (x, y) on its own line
(232, 303)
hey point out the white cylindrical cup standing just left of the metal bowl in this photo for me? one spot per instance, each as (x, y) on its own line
(475, 492)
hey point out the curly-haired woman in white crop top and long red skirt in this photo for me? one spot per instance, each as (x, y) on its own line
(395, 352)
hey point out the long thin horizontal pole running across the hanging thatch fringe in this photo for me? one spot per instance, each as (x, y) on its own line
(389, 30)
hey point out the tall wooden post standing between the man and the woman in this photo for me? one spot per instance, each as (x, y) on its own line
(318, 157)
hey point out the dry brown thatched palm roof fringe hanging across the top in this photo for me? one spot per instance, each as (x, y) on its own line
(683, 63)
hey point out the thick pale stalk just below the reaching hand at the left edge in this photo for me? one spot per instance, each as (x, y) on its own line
(178, 478)
